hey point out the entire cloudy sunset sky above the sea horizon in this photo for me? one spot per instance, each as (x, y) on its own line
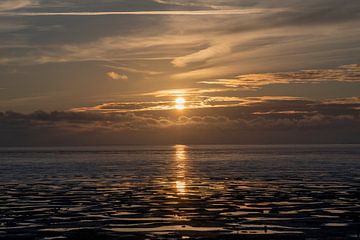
(248, 72)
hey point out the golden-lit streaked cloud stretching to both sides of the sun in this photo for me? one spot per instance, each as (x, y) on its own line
(209, 102)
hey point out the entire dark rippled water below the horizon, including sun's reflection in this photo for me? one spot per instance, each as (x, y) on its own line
(181, 192)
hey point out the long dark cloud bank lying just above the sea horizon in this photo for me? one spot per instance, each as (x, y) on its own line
(271, 122)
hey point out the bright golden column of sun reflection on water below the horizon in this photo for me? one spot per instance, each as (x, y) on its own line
(181, 165)
